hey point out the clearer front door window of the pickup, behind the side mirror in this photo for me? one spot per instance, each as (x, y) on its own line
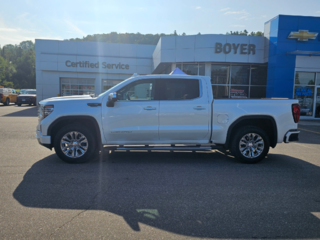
(141, 90)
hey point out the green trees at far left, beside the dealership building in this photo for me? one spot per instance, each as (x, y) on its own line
(17, 65)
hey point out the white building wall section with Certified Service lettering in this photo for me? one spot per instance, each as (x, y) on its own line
(51, 57)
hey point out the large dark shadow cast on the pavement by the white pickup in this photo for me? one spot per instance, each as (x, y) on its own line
(193, 194)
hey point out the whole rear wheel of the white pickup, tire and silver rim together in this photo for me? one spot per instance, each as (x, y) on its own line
(250, 144)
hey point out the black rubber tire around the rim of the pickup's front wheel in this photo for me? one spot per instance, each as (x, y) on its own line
(91, 152)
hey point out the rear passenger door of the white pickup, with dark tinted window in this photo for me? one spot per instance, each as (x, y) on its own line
(184, 114)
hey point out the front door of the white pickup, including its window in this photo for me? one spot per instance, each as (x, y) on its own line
(134, 117)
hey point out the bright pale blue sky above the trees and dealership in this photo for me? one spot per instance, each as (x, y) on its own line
(22, 20)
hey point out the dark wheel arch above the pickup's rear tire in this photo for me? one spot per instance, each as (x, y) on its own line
(265, 122)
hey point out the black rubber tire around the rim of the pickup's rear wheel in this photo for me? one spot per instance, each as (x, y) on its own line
(242, 132)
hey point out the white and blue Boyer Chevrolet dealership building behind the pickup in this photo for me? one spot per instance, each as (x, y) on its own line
(284, 63)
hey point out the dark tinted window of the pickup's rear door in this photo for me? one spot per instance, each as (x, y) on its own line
(179, 89)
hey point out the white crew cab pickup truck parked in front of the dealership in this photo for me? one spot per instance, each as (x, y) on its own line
(165, 112)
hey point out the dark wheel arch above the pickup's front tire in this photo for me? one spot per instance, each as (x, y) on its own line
(87, 121)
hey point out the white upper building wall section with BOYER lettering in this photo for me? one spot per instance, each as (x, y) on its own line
(201, 48)
